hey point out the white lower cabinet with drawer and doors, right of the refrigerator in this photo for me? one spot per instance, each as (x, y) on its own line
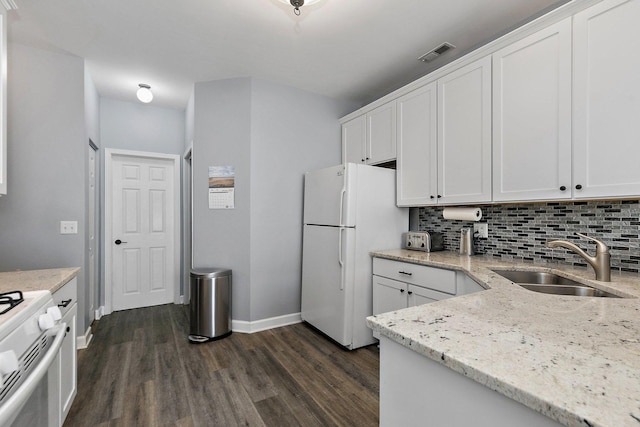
(398, 285)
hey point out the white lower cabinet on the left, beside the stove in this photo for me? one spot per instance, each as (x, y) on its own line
(67, 298)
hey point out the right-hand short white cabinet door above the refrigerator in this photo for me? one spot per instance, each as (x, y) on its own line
(381, 134)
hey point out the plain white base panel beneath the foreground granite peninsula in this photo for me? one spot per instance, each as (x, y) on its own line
(418, 391)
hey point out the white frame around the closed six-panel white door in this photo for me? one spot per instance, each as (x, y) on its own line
(108, 247)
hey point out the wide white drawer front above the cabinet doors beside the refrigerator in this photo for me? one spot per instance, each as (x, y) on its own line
(421, 275)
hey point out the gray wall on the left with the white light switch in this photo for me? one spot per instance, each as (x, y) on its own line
(46, 164)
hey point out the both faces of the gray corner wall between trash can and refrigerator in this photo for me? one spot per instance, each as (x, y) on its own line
(272, 134)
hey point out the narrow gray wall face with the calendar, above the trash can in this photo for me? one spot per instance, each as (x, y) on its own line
(222, 136)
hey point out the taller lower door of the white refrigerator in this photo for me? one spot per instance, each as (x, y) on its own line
(327, 293)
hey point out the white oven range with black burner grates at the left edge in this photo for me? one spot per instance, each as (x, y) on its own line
(30, 341)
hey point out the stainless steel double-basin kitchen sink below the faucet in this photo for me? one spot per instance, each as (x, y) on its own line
(549, 283)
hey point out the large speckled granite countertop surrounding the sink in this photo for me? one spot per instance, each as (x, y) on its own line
(574, 359)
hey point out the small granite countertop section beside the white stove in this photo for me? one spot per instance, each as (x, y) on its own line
(36, 280)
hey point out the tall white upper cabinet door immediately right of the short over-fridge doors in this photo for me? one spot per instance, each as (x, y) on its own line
(417, 151)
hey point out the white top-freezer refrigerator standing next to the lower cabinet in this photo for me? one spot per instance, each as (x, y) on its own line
(349, 210)
